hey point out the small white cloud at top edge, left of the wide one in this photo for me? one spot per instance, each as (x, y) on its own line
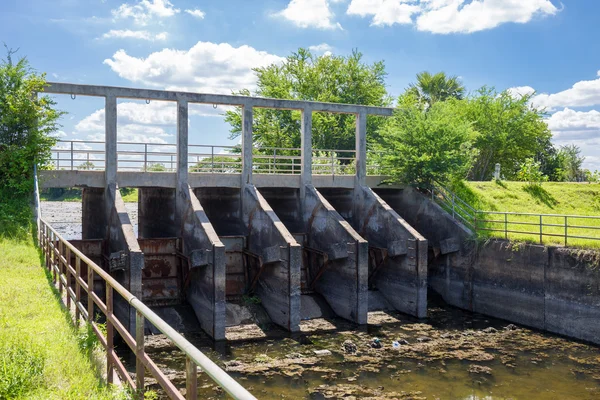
(309, 14)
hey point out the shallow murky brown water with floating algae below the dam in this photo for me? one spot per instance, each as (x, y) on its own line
(451, 355)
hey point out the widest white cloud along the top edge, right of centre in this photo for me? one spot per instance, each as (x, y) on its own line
(450, 16)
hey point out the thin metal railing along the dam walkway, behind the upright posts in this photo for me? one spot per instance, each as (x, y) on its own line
(159, 157)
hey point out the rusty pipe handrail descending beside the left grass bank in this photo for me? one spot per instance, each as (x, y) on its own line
(58, 253)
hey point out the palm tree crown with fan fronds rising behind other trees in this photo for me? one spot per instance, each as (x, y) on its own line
(439, 87)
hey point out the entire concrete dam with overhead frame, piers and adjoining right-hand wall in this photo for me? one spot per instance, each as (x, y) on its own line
(307, 233)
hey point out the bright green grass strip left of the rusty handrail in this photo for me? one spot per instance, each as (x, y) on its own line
(42, 355)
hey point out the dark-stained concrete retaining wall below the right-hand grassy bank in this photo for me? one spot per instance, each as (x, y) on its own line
(549, 288)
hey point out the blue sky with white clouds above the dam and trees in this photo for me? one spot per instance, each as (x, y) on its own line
(542, 46)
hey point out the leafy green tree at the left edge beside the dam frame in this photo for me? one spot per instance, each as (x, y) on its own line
(26, 122)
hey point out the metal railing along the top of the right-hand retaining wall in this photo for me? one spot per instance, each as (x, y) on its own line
(542, 227)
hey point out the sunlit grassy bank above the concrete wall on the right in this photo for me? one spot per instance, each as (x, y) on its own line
(551, 198)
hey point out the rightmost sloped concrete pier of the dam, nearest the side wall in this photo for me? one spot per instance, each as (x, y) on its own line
(402, 279)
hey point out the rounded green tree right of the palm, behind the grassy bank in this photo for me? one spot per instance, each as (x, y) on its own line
(510, 131)
